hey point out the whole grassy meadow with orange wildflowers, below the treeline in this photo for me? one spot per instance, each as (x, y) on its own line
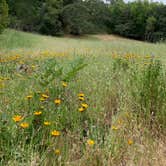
(97, 100)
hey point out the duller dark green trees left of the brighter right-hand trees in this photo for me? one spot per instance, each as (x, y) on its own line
(56, 17)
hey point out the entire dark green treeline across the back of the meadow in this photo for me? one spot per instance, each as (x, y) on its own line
(139, 20)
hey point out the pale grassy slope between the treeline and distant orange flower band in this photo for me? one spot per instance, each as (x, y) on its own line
(13, 40)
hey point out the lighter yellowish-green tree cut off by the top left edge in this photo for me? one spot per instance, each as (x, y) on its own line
(3, 15)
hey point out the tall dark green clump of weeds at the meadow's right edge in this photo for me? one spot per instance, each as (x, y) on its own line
(149, 93)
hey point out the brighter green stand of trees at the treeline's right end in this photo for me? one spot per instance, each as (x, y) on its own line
(139, 20)
